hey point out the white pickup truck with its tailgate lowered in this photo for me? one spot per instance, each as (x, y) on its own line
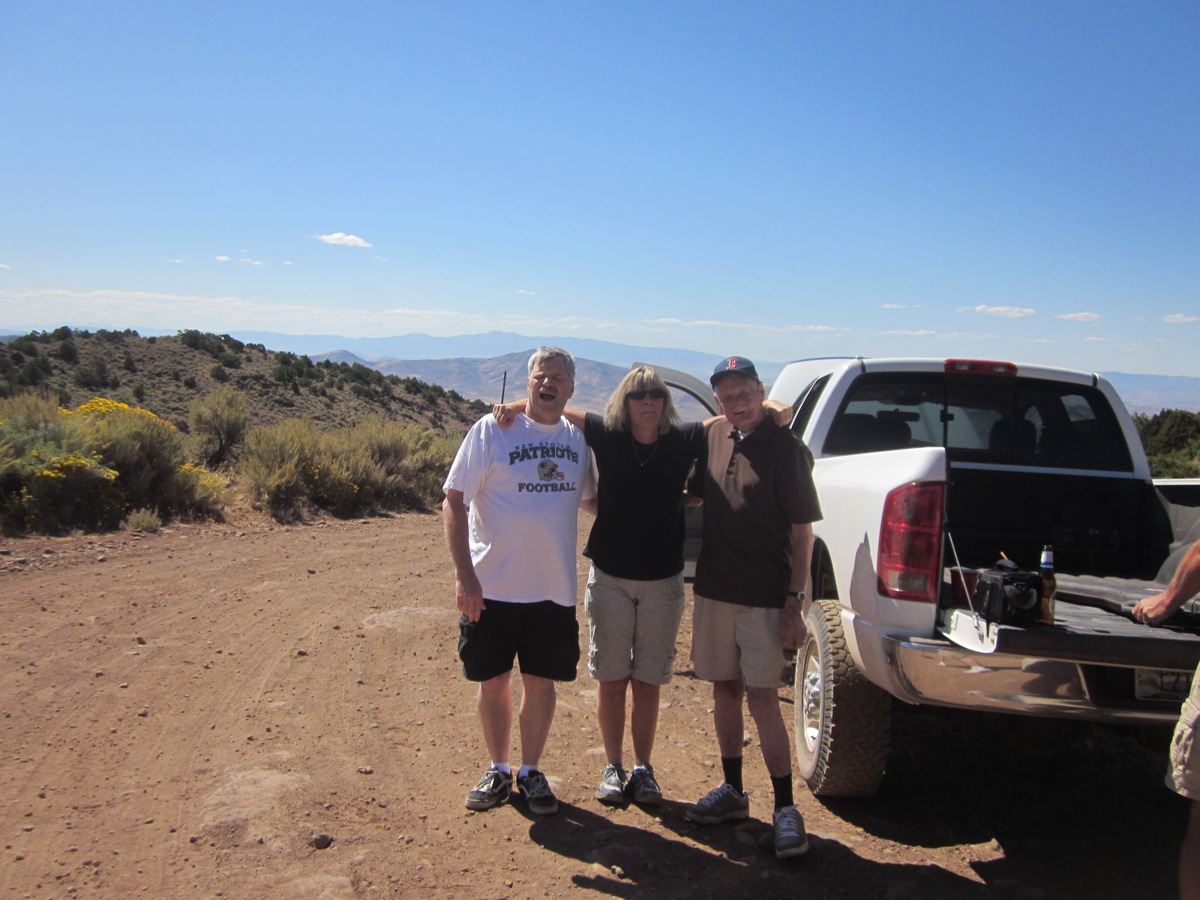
(928, 465)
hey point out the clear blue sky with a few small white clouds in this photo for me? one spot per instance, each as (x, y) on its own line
(1011, 179)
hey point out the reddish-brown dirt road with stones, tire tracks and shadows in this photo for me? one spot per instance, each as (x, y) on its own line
(255, 711)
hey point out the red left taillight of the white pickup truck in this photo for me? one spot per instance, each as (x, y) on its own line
(910, 565)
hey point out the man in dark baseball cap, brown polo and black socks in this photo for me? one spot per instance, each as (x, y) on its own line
(760, 505)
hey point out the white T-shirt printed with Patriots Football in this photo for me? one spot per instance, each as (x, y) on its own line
(523, 487)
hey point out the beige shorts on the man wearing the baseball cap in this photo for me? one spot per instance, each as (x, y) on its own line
(730, 641)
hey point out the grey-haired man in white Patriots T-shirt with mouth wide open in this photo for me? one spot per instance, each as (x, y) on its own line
(512, 509)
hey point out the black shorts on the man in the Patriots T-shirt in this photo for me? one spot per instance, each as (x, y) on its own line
(543, 637)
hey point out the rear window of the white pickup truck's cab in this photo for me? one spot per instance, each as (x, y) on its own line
(980, 418)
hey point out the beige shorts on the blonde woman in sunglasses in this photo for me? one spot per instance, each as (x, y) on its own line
(633, 627)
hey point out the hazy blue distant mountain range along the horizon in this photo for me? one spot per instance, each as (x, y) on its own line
(476, 365)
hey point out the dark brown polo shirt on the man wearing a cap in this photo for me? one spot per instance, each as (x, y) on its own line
(755, 489)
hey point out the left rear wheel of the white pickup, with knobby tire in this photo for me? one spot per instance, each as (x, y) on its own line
(843, 722)
